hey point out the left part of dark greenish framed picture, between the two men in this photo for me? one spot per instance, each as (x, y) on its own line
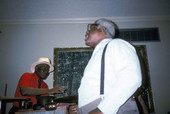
(69, 67)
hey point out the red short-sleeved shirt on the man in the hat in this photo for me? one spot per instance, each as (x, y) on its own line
(28, 80)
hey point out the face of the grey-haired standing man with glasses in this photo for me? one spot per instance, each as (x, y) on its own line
(93, 35)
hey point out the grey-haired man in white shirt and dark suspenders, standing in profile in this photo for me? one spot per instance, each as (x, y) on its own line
(122, 76)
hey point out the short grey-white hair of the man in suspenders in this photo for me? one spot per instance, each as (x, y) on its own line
(108, 24)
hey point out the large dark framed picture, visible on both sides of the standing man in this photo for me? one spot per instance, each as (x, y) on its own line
(69, 64)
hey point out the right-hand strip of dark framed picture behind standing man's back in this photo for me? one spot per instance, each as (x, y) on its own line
(145, 90)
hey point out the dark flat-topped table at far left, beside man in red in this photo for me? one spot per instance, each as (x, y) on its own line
(5, 100)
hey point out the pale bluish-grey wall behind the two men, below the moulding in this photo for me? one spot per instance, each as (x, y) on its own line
(21, 44)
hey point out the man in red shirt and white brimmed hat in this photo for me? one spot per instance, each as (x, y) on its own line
(32, 84)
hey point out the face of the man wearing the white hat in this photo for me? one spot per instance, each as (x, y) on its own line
(42, 70)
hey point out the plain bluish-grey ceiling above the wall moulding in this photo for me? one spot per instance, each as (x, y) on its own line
(66, 9)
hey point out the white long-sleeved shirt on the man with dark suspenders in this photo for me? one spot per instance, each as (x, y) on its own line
(122, 75)
